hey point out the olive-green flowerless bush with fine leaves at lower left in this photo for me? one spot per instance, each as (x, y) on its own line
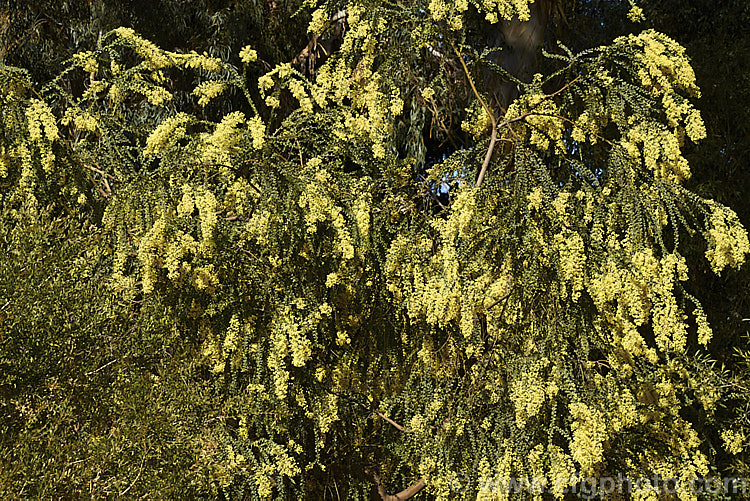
(100, 396)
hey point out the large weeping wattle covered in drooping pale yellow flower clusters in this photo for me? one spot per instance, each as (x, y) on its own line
(519, 309)
